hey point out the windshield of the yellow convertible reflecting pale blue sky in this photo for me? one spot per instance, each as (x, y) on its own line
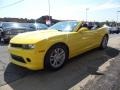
(65, 26)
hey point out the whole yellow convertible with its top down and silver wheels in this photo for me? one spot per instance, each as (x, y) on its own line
(50, 49)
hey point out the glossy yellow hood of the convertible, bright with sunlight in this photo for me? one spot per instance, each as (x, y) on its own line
(35, 36)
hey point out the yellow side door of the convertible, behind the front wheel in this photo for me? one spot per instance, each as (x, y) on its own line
(82, 41)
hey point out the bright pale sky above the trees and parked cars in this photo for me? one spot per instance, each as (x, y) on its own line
(98, 10)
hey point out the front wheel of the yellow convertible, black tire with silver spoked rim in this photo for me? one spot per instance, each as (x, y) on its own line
(56, 57)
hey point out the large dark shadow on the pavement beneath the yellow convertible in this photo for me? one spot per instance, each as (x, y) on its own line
(73, 72)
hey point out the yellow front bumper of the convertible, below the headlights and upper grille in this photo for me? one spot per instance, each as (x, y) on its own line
(31, 59)
